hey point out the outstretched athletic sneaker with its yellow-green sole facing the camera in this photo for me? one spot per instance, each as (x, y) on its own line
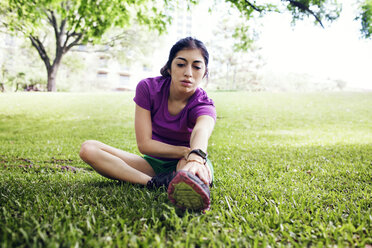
(187, 191)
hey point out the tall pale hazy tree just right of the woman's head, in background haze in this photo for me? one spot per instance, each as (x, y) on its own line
(233, 68)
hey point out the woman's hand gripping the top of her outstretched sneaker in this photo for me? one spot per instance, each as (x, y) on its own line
(196, 166)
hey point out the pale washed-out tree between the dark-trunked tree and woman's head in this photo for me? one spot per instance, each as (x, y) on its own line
(121, 51)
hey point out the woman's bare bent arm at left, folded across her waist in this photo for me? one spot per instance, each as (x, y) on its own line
(146, 145)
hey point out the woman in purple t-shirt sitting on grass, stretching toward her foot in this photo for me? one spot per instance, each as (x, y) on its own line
(173, 122)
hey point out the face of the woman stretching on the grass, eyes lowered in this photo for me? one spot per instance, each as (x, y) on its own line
(187, 70)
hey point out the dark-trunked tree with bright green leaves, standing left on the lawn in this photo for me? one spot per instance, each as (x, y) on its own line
(74, 23)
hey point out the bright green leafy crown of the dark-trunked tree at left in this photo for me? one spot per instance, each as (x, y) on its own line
(91, 18)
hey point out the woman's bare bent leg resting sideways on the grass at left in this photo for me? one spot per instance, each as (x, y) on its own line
(116, 164)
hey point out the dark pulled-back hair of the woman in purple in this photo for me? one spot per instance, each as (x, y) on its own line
(186, 43)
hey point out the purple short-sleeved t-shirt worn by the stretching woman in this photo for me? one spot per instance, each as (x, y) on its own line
(152, 94)
